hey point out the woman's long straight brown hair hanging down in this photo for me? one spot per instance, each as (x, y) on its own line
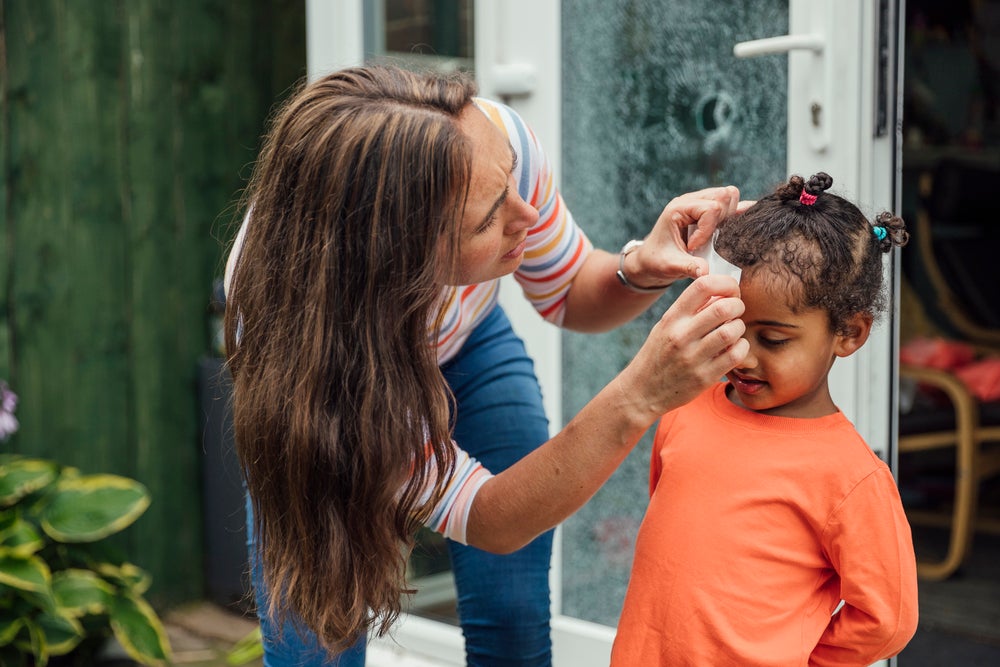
(341, 414)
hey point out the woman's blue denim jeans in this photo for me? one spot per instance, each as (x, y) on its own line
(503, 601)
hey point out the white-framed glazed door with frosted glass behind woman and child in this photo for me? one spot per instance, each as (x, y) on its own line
(561, 65)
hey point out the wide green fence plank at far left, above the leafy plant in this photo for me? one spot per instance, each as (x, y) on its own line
(69, 322)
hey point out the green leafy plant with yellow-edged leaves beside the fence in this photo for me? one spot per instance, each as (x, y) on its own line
(62, 587)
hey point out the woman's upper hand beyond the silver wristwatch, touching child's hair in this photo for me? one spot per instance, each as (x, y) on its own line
(664, 256)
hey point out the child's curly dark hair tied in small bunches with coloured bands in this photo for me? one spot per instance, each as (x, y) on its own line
(822, 240)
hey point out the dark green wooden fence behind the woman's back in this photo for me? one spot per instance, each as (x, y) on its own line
(127, 129)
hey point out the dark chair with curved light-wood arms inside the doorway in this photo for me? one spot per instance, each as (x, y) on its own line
(957, 243)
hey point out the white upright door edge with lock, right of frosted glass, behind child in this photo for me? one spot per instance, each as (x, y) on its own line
(864, 162)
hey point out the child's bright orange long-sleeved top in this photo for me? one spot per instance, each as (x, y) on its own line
(757, 528)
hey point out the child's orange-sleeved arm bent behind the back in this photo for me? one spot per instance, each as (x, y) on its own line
(869, 543)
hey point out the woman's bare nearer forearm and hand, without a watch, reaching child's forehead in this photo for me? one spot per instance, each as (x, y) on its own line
(694, 344)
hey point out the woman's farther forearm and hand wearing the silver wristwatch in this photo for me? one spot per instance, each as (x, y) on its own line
(598, 301)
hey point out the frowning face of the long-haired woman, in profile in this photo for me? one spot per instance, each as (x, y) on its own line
(496, 219)
